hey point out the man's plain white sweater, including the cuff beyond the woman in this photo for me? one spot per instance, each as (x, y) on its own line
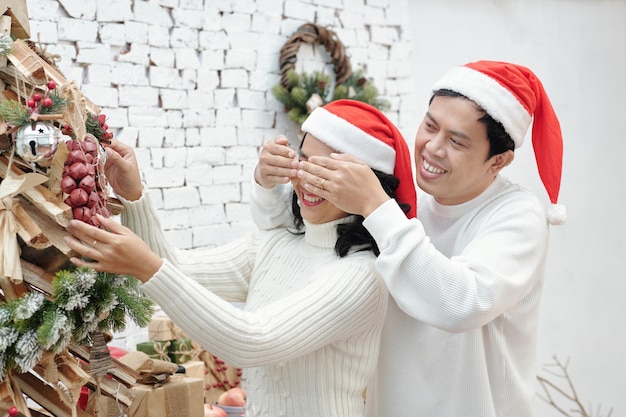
(460, 337)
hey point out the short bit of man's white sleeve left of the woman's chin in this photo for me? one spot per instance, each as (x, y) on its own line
(270, 208)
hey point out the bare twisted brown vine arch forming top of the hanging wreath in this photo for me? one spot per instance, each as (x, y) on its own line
(315, 34)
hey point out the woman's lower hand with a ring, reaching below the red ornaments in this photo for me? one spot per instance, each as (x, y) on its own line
(114, 249)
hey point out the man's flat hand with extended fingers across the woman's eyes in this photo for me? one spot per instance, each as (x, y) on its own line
(345, 181)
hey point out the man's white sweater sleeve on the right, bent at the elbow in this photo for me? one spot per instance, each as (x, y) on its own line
(497, 266)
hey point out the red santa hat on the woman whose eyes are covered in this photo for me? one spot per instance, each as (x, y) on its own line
(363, 131)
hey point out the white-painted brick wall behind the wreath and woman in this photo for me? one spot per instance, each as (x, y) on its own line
(187, 82)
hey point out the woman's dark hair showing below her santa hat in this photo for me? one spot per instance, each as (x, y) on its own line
(354, 234)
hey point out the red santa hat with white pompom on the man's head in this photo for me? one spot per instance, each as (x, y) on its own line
(515, 97)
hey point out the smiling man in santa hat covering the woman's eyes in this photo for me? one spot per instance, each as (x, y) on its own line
(467, 274)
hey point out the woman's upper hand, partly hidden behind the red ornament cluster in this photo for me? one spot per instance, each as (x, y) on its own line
(122, 171)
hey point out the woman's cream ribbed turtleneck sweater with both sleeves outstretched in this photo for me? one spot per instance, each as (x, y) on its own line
(308, 336)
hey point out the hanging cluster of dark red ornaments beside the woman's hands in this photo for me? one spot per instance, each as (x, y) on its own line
(82, 182)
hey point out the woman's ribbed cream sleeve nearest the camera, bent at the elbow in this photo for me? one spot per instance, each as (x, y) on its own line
(338, 301)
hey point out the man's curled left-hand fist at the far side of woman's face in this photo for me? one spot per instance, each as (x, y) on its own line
(277, 163)
